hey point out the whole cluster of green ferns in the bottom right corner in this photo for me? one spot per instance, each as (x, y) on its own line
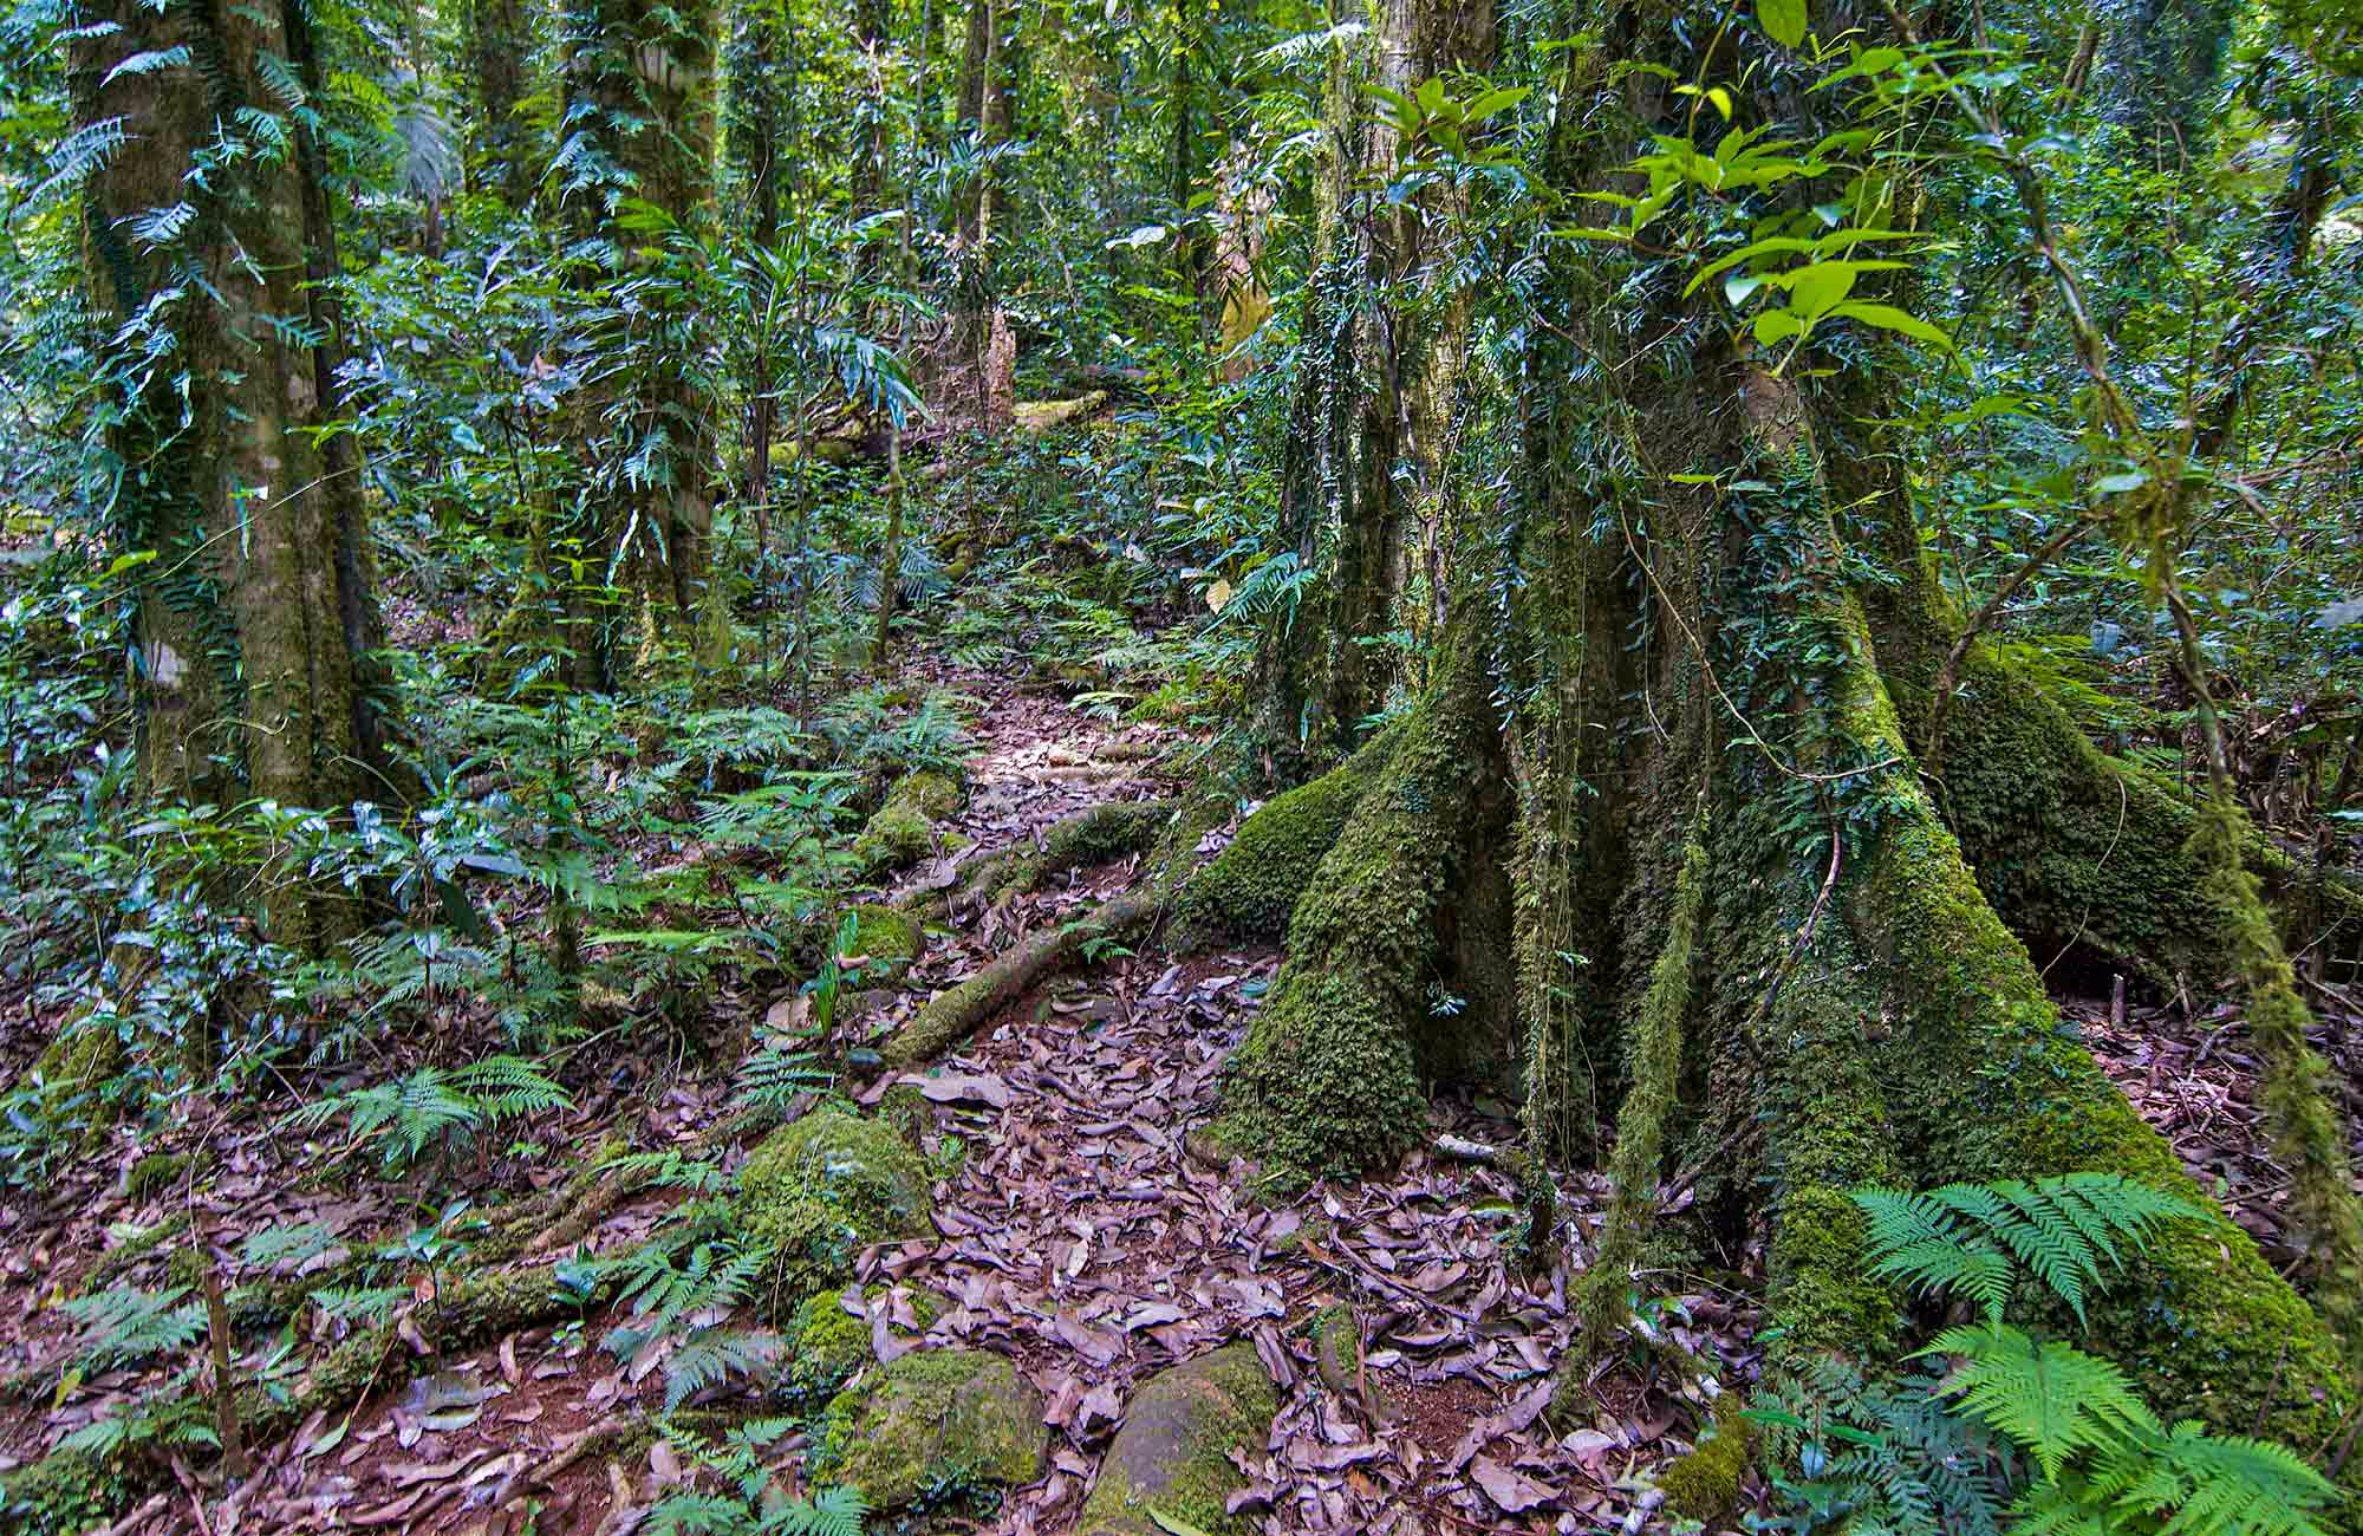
(2003, 1428)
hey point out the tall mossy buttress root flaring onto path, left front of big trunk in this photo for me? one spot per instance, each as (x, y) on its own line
(1329, 1076)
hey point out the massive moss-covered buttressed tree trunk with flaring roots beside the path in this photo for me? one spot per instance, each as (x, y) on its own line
(1733, 902)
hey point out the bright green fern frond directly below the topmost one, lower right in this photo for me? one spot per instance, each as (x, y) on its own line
(2045, 1398)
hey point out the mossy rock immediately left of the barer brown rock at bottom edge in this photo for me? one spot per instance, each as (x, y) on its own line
(935, 1426)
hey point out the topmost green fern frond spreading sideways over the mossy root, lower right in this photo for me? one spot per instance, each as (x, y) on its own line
(1970, 1239)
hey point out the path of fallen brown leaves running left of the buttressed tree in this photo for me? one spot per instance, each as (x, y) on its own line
(1083, 1239)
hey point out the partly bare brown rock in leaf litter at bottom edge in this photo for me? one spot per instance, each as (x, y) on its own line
(1173, 1457)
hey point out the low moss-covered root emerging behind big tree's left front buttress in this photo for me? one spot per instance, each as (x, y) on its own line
(1254, 887)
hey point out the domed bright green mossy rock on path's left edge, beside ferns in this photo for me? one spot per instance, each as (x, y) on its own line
(824, 1190)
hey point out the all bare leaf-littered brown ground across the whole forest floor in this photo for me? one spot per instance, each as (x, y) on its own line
(1076, 1235)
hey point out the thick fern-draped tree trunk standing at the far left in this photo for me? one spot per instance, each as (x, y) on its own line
(254, 613)
